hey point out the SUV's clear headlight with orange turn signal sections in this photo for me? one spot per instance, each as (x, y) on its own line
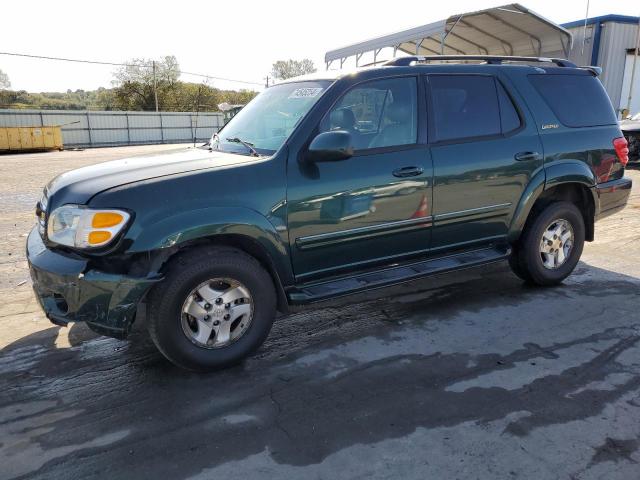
(81, 227)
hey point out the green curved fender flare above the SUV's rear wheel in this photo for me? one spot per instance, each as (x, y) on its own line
(547, 177)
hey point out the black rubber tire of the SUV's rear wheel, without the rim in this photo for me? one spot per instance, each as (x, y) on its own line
(527, 260)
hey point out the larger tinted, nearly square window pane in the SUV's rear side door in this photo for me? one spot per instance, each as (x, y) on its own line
(464, 106)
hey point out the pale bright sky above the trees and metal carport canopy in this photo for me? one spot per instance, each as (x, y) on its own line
(236, 39)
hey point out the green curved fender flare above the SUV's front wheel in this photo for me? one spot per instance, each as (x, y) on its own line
(206, 222)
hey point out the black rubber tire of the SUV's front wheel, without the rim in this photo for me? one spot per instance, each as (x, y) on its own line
(169, 327)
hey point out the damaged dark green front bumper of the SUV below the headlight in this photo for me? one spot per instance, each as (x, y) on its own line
(68, 290)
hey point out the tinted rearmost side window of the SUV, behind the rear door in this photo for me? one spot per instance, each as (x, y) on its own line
(577, 100)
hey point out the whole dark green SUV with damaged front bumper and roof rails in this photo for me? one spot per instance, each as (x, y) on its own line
(332, 184)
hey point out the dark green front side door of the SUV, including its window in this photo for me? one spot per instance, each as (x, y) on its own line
(375, 206)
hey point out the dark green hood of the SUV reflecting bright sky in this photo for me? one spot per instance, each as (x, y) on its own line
(79, 186)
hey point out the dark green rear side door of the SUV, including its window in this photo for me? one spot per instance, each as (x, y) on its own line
(485, 149)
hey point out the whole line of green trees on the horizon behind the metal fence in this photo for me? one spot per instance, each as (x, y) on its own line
(136, 85)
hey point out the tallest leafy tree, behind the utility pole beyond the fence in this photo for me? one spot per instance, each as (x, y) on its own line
(134, 83)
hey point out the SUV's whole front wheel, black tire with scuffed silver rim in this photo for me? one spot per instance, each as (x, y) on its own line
(214, 307)
